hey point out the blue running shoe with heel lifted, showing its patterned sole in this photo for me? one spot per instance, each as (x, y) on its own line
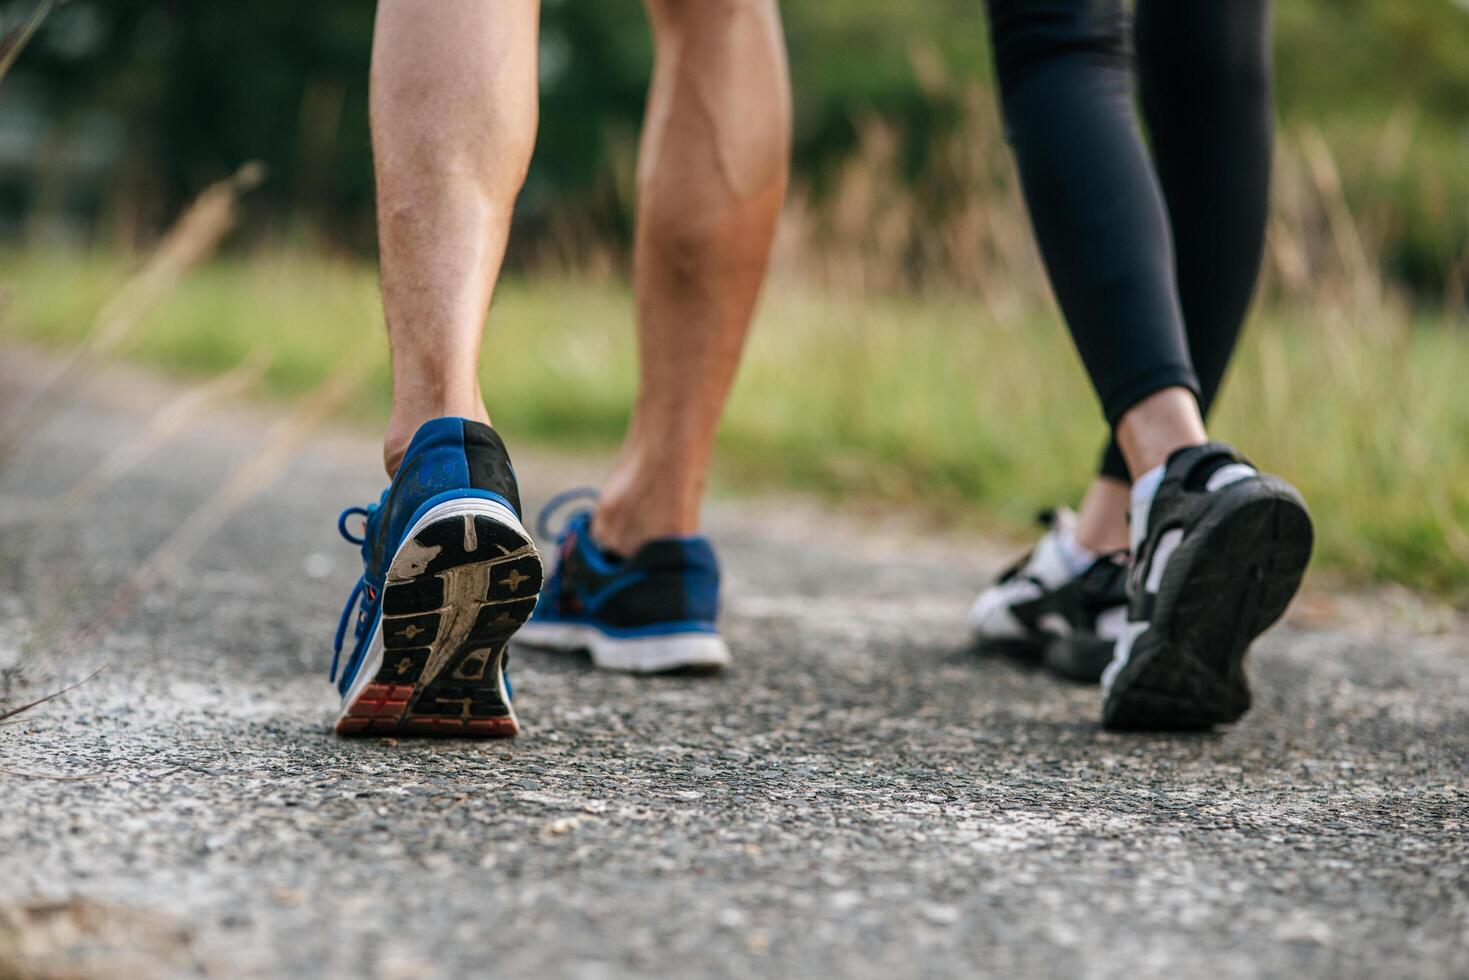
(450, 577)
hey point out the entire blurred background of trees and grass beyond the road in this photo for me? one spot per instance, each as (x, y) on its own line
(909, 347)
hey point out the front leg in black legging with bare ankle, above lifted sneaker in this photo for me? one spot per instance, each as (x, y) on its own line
(1066, 76)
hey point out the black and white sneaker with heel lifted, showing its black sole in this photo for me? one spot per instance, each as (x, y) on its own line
(1217, 558)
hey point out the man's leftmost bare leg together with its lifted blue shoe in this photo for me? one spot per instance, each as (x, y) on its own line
(449, 572)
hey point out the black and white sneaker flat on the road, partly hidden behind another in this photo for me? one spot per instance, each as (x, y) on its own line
(1044, 613)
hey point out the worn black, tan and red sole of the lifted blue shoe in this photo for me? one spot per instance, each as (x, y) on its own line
(463, 581)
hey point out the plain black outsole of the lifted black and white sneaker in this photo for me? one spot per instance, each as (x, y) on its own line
(1232, 578)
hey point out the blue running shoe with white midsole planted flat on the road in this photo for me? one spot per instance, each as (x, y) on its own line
(649, 613)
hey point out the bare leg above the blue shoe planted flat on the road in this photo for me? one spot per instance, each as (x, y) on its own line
(712, 177)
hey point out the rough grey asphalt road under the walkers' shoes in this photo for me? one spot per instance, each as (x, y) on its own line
(860, 796)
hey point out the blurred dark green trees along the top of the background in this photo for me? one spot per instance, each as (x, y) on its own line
(124, 109)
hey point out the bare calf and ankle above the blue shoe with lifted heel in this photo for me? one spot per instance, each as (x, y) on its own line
(453, 124)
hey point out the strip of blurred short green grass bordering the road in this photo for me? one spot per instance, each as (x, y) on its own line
(916, 402)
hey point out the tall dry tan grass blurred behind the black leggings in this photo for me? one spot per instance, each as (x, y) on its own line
(961, 227)
